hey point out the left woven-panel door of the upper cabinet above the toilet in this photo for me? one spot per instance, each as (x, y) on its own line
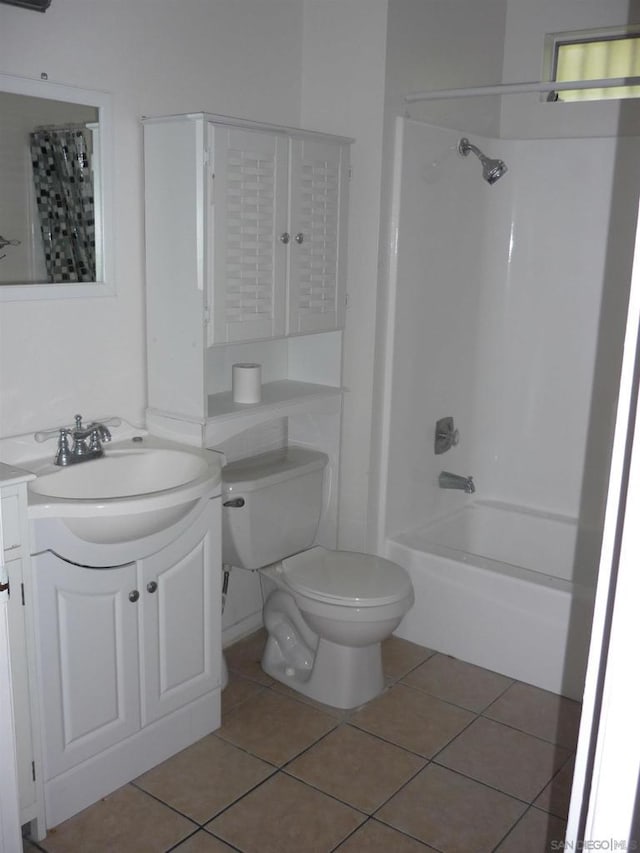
(247, 221)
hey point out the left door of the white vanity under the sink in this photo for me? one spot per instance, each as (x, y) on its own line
(88, 659)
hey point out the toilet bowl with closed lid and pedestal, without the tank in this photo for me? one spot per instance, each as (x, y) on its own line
(325, 620)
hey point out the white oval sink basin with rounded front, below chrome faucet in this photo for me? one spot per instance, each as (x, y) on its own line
(136, 490)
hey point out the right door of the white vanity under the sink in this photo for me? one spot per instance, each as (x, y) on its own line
(181, 631)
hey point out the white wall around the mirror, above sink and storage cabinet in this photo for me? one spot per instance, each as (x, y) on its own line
(235, 57)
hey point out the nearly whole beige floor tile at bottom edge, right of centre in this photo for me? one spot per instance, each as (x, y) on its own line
(451, 813)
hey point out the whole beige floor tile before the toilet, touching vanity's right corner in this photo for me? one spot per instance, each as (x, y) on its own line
(274, 727)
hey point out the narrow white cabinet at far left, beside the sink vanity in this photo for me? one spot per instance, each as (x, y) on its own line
(15, 543)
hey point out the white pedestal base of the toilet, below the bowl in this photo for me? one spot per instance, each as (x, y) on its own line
(342, 676)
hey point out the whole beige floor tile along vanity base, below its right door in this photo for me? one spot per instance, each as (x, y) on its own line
(203, 779)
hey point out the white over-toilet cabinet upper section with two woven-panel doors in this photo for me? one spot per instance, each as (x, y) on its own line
(245, 241)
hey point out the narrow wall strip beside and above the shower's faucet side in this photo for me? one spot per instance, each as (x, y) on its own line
(423, 37)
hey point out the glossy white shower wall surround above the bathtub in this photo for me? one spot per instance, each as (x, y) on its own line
(497, 306)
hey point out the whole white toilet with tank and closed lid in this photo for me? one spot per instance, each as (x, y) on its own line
(327, 611)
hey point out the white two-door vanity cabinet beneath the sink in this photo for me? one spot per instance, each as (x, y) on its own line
(129, 662)
